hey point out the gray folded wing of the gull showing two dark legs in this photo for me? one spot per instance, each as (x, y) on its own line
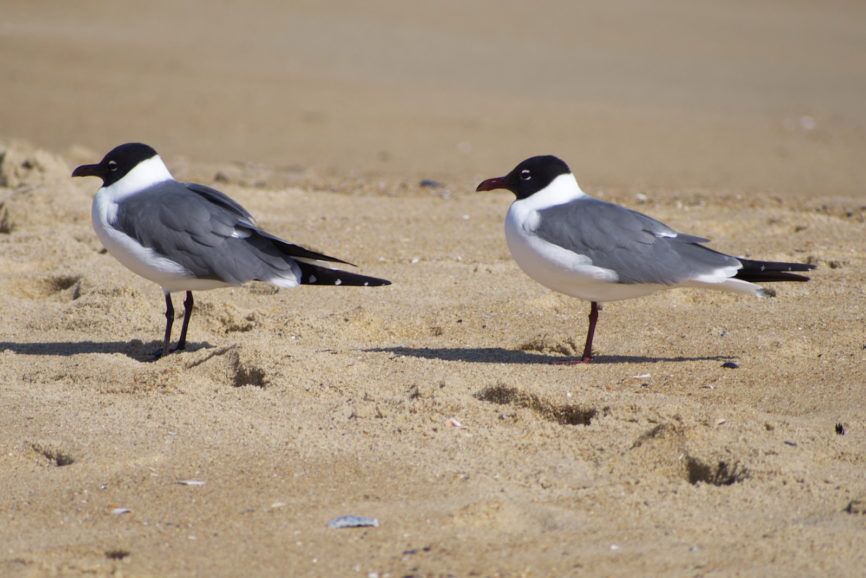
(204, 231)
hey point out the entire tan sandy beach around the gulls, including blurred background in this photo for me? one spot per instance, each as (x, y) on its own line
(293, 407)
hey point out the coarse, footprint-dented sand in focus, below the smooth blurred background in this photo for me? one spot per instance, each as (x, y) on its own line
(328, 401)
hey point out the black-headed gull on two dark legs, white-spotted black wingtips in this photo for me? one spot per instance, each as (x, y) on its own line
(188, 237)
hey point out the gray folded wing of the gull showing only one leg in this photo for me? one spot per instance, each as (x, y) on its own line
(638, 248)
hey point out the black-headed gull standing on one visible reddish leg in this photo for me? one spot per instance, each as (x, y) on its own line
(599, 251)
